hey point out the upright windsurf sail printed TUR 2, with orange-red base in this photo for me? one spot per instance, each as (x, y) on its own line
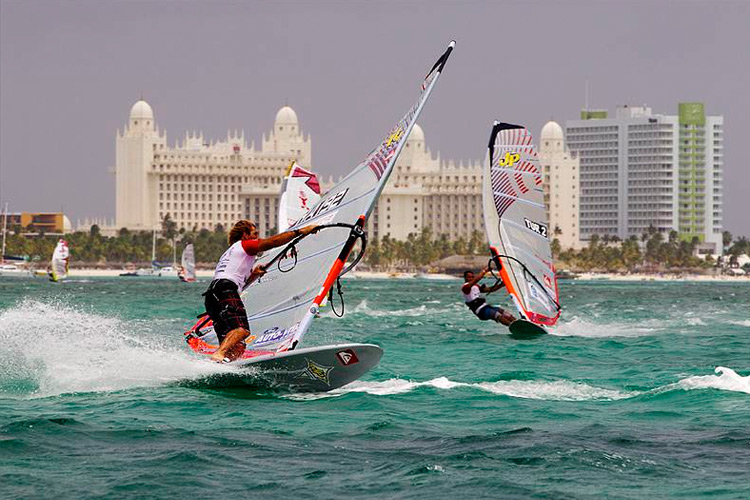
(516, 224)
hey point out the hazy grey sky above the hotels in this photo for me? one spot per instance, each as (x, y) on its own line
(70, 71)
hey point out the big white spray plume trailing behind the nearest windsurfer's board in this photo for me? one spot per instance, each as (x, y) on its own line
(66, 350)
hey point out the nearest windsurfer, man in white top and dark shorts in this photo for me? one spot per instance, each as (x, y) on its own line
(236, 269)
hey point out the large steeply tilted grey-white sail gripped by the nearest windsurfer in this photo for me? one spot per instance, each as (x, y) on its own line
(282, 304)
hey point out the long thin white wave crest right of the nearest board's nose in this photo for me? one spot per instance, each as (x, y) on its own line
(526, 389)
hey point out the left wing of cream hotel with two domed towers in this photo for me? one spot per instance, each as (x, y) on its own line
(201, 184)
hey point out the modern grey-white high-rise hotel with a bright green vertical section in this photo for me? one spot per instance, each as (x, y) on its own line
(640, 169)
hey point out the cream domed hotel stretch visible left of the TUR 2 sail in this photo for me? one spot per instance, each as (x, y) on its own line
(201, 184)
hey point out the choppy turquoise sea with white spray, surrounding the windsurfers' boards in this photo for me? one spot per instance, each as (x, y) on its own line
(643, 391)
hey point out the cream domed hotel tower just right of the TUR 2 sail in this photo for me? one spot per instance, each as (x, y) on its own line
(561, 171)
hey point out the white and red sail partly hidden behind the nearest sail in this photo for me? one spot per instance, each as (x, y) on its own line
(300, 191)
